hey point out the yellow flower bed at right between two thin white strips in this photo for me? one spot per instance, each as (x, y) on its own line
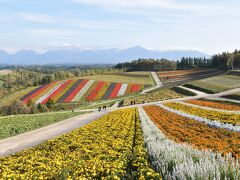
(209, 114)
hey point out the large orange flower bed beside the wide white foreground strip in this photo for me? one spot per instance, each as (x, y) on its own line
(199, 135)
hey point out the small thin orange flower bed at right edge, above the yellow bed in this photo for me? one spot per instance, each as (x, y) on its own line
(217, 105)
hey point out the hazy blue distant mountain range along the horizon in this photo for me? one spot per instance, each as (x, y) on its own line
(98, 56)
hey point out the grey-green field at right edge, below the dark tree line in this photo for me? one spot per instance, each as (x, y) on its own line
(215, 84)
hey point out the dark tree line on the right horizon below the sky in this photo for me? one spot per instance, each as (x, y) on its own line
(224, 61)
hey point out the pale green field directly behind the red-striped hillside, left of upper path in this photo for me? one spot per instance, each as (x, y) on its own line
(125, 77)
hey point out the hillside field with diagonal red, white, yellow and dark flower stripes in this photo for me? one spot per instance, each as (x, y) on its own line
(74, 90)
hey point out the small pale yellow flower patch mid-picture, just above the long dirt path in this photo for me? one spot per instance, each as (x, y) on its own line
(153, 97)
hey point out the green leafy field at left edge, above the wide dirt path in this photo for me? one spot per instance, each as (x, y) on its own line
(18, 124)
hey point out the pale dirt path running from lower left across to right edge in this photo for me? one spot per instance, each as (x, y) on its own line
(17, 143)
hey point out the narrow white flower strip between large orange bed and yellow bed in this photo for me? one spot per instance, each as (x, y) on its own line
(212, 123)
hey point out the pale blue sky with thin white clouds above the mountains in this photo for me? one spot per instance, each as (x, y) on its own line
(209, 26)
